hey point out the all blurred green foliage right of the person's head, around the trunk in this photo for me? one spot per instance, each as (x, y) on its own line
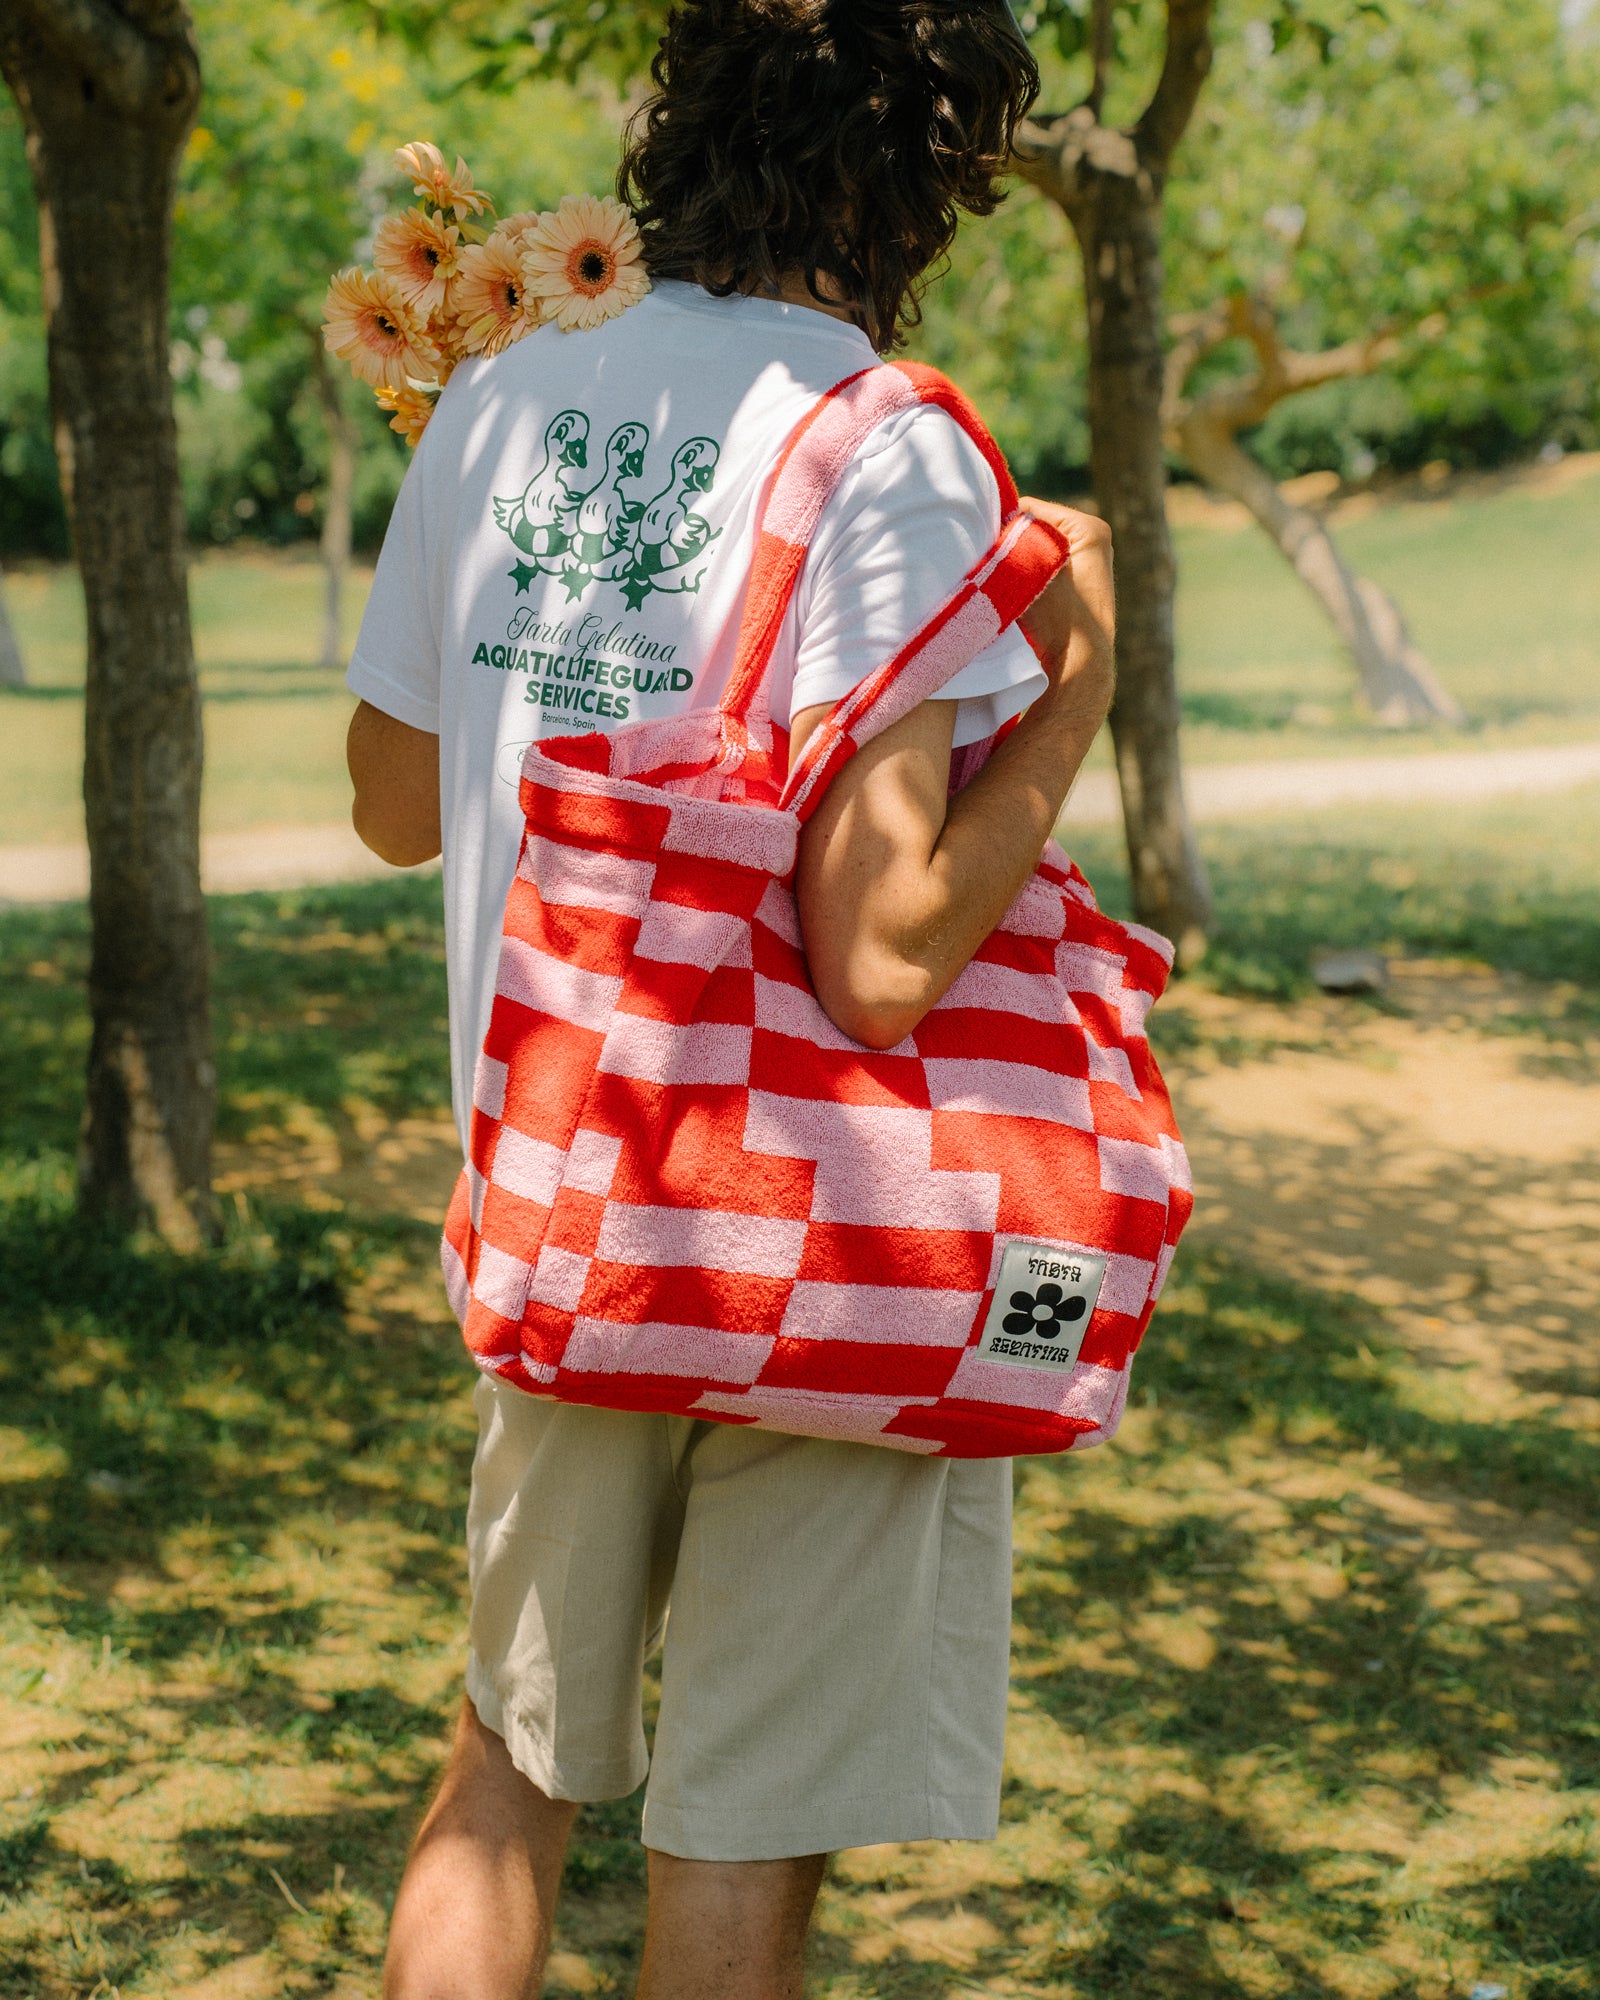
(1379, 167)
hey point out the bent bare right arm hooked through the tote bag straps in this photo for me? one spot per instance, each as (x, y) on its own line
(899, 885)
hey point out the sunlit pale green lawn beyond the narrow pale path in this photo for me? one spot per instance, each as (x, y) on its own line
(1503, 593)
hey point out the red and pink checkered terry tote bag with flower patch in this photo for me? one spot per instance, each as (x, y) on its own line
(691, 1193)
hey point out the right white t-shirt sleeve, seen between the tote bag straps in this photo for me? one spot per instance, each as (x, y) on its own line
(915, 511)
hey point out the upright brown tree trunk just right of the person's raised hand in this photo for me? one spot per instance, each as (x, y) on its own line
(1119, 231)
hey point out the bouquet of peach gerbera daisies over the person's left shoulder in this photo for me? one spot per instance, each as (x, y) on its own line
(445, 287)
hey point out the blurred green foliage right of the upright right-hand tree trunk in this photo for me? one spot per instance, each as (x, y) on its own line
(1439, 175)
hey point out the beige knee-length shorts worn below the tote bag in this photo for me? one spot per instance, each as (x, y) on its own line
(835, 1665)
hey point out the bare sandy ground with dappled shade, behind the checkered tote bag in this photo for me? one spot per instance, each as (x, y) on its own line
(1421, 1157)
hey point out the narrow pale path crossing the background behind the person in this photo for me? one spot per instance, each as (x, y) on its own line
(299, 857)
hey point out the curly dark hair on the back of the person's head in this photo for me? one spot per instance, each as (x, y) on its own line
(835, 139)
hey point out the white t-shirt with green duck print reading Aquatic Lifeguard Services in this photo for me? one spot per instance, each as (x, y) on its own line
(571, 545)
